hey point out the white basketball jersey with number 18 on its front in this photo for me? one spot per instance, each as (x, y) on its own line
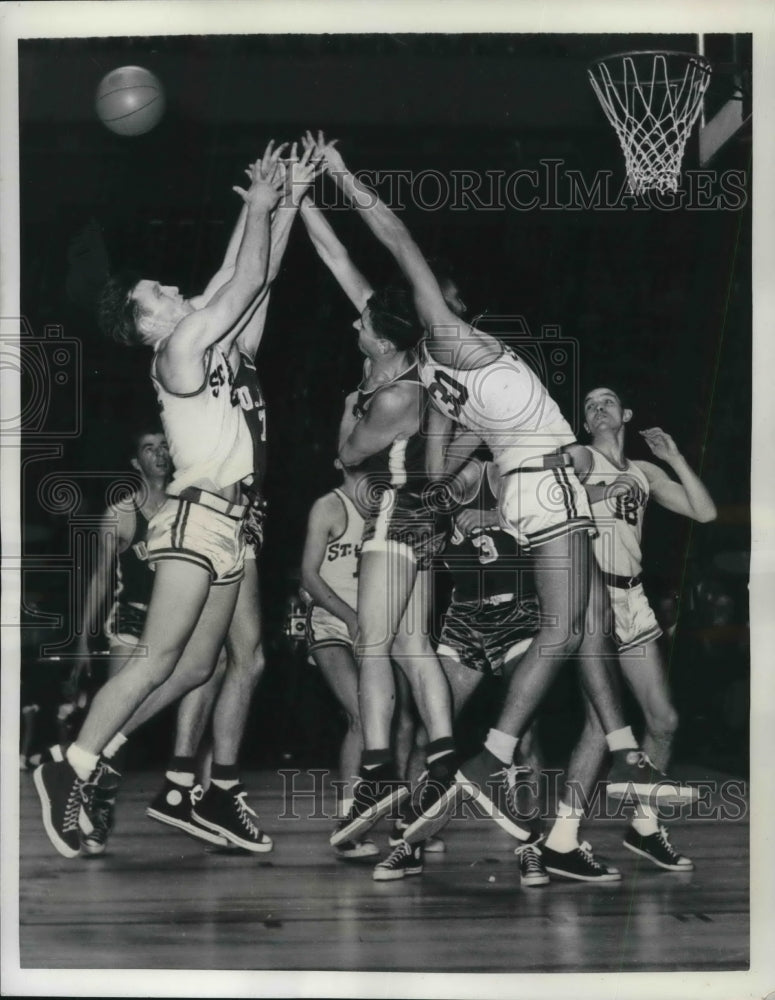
(619, 520)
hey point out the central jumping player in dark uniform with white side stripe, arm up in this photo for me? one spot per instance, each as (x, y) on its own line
(382, 435)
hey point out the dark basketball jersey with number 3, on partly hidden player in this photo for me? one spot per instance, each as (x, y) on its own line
(488, 563)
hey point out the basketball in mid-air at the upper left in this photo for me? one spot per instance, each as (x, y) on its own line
(129, 100)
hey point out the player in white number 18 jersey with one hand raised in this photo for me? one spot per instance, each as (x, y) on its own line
(619, 490)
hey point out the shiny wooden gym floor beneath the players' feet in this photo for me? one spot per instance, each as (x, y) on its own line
(160, 900)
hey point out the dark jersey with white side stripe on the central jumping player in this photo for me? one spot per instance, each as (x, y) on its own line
(401, 465)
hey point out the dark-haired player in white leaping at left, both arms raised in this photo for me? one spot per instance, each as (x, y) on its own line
(196, 540)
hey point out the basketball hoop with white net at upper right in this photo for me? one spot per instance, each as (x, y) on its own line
(652, 99)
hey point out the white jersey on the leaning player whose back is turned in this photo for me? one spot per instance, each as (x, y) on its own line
(504, 402)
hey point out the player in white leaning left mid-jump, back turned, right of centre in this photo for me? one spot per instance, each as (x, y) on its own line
(476, 381)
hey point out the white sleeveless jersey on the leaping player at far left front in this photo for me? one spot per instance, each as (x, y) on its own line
(208, 437)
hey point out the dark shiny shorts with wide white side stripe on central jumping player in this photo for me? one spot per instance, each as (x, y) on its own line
(407, 520)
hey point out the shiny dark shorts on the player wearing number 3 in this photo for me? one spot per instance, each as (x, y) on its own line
(483, 636)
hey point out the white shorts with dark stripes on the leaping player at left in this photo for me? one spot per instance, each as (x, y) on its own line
(207, 532)
